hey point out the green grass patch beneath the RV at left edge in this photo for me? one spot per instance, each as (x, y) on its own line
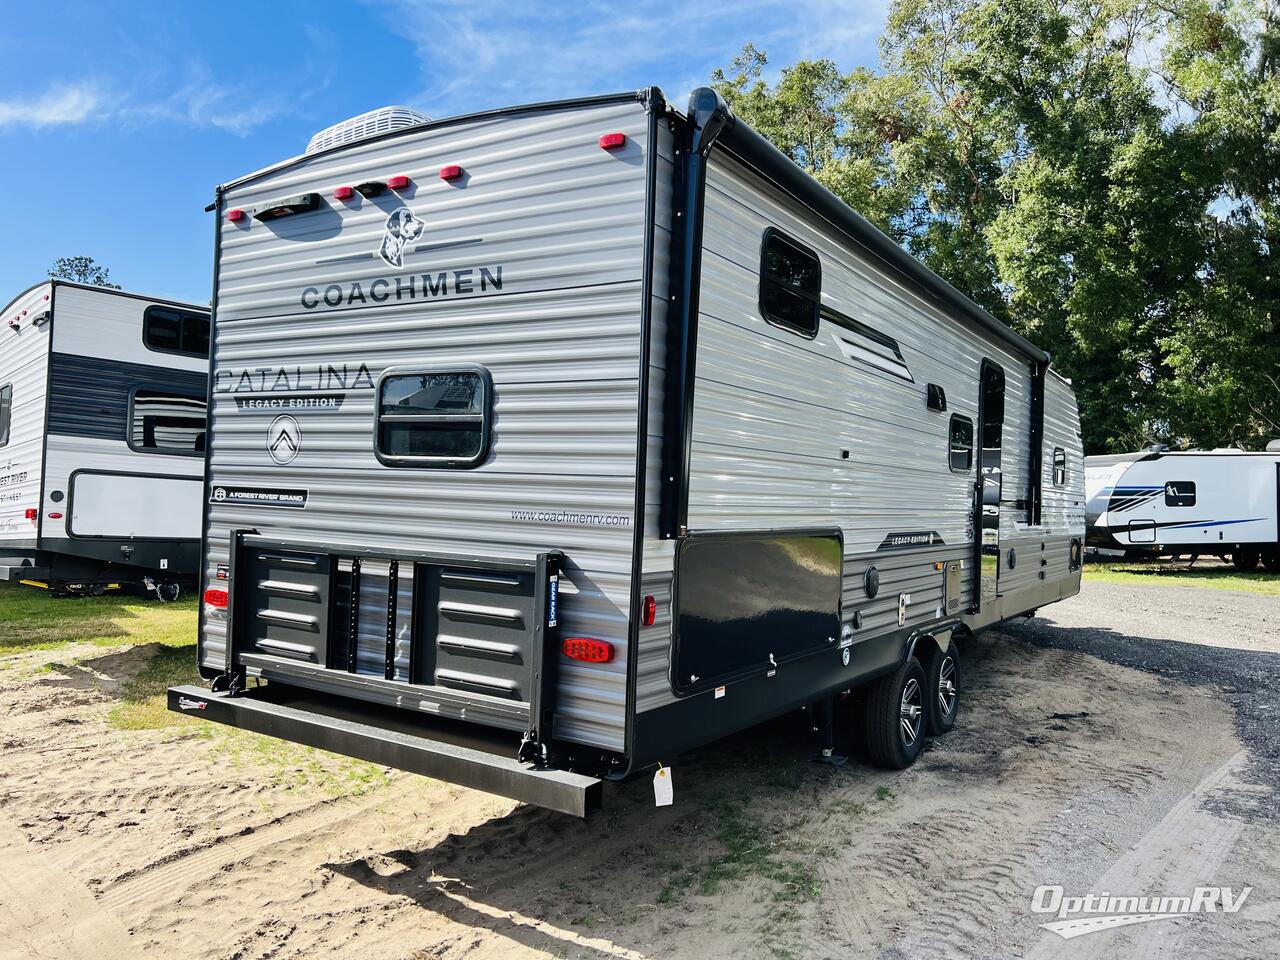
(35, 620)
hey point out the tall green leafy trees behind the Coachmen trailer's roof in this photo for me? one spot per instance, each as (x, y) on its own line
(1103, 177)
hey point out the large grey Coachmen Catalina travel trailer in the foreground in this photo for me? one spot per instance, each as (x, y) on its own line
(551, 442)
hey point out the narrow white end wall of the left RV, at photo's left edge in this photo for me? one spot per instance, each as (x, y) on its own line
(24, 365)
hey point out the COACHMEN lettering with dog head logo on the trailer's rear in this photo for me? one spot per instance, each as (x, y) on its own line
(403, 228)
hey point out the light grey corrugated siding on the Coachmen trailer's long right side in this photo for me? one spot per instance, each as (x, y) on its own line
(775, 413)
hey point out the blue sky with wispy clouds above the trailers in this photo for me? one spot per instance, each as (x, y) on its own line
(117, 120)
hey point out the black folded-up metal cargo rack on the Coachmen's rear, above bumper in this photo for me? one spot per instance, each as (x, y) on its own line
(456, 638)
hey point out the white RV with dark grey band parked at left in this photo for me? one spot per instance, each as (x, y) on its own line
(103, 399)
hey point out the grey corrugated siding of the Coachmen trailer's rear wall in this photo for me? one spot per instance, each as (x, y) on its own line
(561, 339)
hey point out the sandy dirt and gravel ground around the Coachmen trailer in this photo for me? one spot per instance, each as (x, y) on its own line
(1066, 769)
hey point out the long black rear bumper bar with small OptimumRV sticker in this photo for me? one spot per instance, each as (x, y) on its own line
(449, 751)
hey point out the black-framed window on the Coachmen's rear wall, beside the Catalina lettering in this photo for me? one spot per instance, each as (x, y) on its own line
(435, 418)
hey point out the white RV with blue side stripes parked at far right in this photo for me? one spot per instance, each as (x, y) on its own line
(1164, 502)
